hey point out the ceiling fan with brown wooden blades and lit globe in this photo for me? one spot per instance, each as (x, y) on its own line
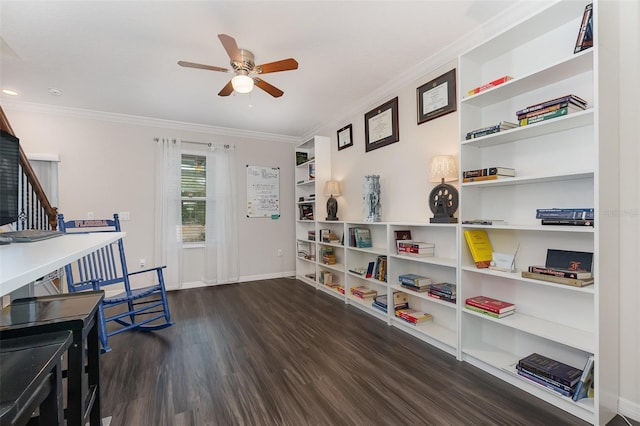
(246, 71)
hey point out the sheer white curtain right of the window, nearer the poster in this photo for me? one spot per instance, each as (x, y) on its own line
(221, 237)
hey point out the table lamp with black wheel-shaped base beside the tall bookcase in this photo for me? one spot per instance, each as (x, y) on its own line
(443, 200)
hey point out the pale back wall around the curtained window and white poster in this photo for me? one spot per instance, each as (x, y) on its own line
(108, 166)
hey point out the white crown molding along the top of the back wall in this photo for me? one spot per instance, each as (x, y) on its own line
(145, 121)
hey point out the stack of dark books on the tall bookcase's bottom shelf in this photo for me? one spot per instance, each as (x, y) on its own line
(550, 373)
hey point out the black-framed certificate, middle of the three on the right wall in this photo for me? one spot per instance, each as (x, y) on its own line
(381, 125)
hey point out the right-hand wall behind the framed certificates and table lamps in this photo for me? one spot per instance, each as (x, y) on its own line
(403, 166)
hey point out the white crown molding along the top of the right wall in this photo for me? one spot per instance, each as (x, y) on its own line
(511, 16)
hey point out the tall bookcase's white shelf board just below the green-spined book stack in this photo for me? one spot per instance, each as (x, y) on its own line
(567, 122)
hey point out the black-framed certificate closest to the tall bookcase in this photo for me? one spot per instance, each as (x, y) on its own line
(437, 97)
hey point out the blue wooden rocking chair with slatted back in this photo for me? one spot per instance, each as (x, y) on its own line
(123, 308)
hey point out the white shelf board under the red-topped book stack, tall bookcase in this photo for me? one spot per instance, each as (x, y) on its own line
(555, 332)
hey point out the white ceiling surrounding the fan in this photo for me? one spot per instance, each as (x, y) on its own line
(120, 56)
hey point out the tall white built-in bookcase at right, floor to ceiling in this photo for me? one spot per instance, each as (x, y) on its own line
(560, 163)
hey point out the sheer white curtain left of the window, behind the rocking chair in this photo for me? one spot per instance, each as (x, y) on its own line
(168, 245)
